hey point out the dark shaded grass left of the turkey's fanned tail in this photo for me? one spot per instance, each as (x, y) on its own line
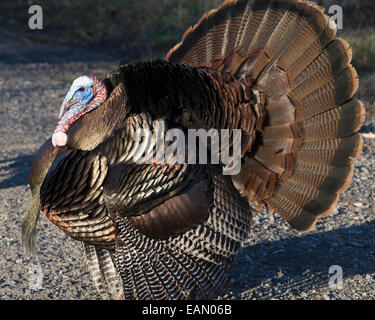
(149, 27)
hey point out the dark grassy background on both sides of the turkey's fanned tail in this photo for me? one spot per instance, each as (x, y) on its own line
(148, 28)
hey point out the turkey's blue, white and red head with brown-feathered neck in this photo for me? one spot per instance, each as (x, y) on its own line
(88, 114)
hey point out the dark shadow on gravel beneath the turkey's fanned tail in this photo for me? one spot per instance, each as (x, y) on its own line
(300, 264)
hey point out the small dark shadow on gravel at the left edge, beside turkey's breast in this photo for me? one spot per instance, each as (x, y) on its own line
(15, 171)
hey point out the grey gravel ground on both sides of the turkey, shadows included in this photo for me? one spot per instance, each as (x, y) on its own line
(276, 263)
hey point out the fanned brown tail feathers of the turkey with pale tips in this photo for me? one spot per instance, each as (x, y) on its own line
(303, 155)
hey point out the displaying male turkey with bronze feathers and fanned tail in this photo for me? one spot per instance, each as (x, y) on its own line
(273, 69)
